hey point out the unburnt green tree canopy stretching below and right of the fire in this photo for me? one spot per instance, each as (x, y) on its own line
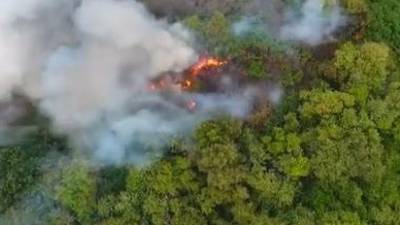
(328, 154)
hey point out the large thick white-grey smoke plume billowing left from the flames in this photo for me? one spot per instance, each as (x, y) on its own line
(87, 64)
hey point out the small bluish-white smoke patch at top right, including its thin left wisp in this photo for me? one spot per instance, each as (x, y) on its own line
(312, 22)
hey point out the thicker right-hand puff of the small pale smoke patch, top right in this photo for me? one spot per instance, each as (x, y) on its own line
(315, 23)
